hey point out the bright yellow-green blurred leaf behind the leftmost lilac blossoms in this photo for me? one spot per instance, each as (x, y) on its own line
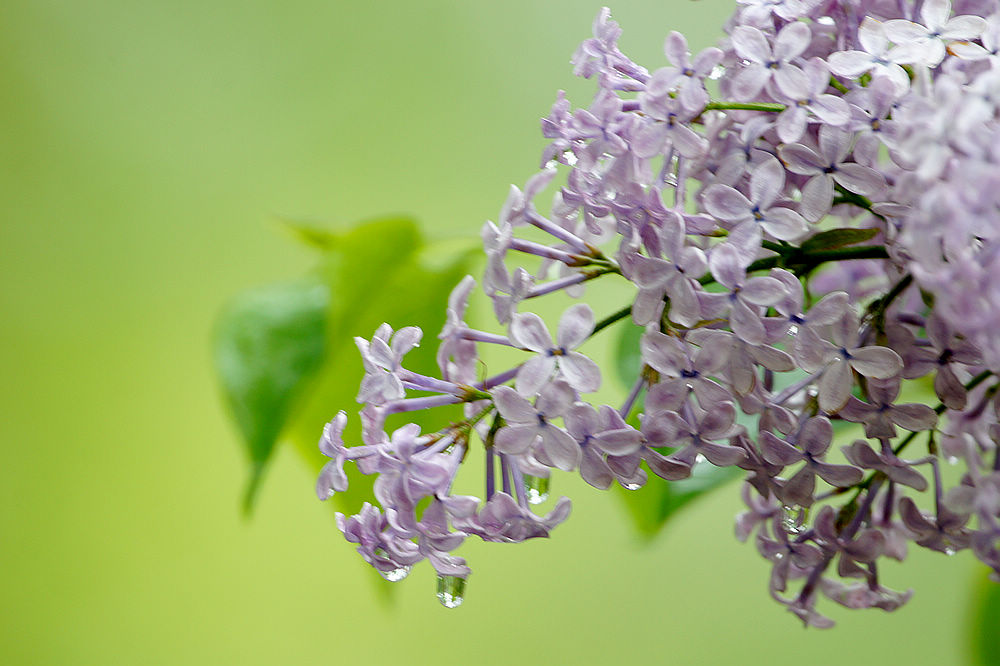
(379, 271)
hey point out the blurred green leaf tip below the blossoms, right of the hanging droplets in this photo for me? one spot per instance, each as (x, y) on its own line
(651, 506)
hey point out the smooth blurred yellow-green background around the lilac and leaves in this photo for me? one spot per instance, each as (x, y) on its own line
(149, 149)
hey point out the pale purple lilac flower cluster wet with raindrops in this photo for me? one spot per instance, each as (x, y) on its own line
(810, 217)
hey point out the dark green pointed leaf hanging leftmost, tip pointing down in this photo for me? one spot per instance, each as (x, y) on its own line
(268, 342)
